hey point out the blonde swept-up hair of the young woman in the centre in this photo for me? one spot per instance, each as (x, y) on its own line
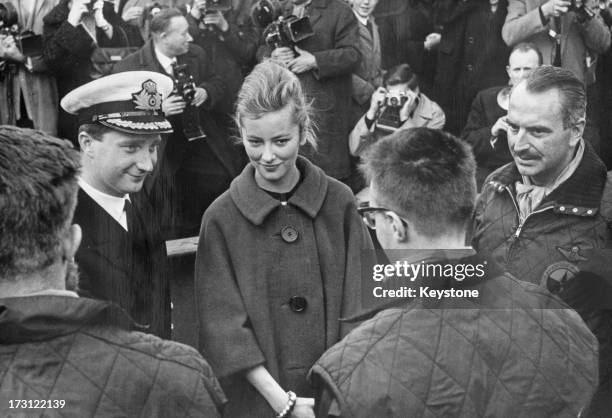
(270, 88)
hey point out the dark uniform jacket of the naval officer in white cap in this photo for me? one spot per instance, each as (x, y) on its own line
(127, 268)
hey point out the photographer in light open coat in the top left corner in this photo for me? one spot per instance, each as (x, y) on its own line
(28, 94)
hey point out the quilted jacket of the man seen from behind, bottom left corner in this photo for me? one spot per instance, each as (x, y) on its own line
(64, 348)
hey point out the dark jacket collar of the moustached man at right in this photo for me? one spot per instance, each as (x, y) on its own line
(583, 189)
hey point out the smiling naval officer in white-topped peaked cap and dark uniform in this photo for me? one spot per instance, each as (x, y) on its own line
(122, 257)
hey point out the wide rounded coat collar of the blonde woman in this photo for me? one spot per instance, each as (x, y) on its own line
(255, 204)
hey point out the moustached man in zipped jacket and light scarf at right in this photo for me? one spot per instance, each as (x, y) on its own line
(547, 216)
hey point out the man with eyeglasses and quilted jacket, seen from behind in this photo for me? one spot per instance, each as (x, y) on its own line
(450, 356)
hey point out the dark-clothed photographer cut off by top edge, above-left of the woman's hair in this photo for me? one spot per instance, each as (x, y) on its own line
(229, 40)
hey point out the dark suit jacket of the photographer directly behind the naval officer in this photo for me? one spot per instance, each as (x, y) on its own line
(200, 67)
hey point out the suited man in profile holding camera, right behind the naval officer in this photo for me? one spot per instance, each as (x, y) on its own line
(198, 161)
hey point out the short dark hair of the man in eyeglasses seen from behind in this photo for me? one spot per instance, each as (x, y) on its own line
(426, 175)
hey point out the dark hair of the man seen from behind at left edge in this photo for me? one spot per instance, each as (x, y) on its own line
(38, 187)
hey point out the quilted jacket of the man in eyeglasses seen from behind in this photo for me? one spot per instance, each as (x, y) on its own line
(511, 361)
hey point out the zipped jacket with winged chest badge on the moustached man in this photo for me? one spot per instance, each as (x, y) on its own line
(569, 232)
